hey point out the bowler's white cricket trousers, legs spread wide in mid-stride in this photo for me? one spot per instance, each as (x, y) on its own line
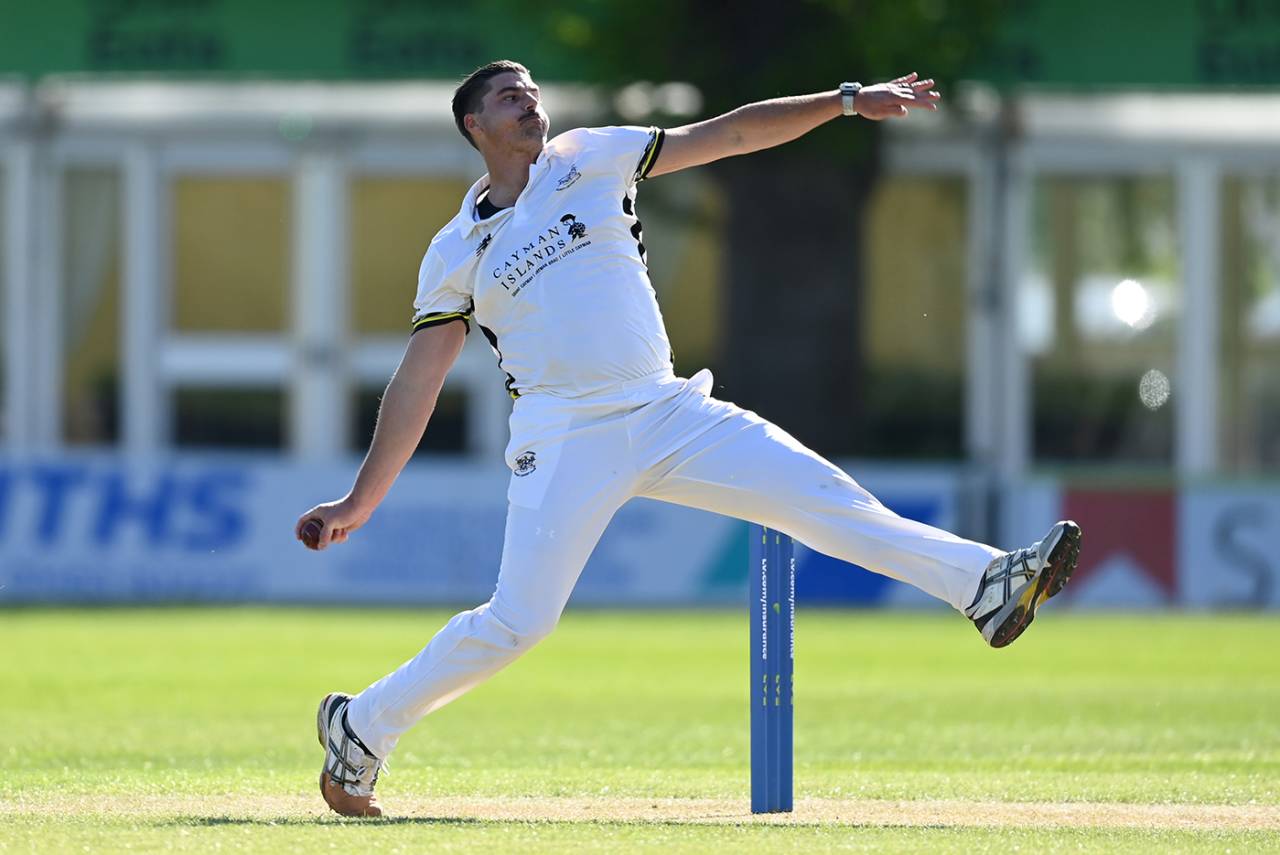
(577, 461)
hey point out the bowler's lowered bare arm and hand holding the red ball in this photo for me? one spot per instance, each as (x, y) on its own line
(403, 417)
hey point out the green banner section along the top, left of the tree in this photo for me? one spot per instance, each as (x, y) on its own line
(276, 39)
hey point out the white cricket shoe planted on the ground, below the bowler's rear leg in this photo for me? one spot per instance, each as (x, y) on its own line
(350, 770)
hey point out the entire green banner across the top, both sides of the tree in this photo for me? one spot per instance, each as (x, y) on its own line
(1059, 43)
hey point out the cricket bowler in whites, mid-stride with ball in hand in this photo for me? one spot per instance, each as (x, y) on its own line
(547, 259)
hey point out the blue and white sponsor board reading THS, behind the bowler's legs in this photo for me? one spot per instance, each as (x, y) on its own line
(102, 529)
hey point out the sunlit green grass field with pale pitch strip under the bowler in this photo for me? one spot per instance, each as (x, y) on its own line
(194, 729)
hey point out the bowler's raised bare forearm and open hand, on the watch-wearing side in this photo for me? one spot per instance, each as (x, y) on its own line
(771, 124)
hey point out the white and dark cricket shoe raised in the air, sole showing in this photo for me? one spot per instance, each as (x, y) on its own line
(1018, 583)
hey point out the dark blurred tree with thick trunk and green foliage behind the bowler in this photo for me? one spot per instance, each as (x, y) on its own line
(794, 349)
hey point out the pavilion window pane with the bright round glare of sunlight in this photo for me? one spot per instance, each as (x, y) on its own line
(1098, 316)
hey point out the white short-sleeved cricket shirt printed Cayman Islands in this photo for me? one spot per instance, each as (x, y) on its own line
(557, 282)
